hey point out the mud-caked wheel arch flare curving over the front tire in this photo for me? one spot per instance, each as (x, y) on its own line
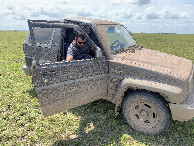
(128, 86)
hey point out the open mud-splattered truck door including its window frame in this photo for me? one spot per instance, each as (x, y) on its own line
(62, 85)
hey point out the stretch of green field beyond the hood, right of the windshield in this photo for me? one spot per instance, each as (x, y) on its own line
(176, 44)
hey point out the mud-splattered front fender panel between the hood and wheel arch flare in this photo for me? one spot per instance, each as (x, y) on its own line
(121, 69)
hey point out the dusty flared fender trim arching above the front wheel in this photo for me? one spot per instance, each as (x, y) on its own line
(169, 92)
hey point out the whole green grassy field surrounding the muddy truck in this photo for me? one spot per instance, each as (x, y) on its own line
(22, 123)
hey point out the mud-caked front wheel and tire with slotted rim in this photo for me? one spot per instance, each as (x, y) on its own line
(146, 112)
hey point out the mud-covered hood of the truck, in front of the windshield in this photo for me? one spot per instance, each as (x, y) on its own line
(156, 61)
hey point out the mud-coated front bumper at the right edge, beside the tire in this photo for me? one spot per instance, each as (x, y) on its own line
(184, 111)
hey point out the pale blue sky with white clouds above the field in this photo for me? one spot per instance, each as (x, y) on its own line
(149, 16)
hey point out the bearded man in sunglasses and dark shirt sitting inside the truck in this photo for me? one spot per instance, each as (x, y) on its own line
(79, 49)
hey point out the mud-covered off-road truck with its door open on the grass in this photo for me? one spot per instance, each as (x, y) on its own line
(147, 86)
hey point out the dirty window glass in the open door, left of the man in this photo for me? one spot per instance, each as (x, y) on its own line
(48, 44)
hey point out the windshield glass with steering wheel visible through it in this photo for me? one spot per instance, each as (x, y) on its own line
(118, 38)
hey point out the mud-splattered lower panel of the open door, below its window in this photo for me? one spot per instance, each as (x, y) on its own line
(66, 85)
